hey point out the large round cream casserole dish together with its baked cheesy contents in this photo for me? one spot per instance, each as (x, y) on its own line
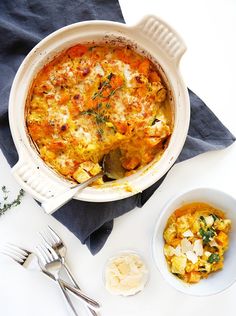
(93, 87)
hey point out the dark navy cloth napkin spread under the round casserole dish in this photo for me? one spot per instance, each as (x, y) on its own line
(23, 25)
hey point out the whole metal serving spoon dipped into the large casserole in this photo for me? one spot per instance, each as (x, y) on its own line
(111, 167)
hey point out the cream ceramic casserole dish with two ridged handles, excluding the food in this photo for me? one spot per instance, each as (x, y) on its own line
(161, 43)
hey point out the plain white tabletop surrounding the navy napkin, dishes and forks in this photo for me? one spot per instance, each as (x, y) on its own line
(208, 68)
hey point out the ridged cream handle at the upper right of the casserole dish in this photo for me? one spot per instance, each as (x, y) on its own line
(164, 36)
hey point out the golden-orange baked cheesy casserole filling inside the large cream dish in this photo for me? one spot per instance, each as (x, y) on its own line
(92, 99)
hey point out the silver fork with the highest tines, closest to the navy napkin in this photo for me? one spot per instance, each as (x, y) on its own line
(51, 237)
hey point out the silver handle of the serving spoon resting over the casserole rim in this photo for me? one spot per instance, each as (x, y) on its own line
(55, 202)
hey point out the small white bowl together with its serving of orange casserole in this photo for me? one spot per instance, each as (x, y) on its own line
(194, 241)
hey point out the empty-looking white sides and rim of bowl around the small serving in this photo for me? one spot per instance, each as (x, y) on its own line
(218, 281)
